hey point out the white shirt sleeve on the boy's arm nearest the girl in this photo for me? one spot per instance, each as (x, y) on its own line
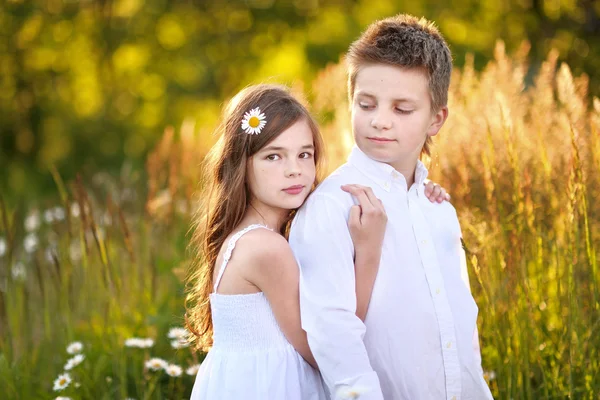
(323, 246)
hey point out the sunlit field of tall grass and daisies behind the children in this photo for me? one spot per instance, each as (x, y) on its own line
(103, 263)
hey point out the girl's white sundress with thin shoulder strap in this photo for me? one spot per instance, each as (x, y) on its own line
(251, 359)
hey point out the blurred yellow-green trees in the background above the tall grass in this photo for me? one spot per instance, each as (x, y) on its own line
(88, 84)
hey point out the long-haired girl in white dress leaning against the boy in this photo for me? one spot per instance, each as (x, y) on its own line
(243, 305)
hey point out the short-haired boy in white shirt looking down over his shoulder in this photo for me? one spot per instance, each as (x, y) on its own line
(419, 340)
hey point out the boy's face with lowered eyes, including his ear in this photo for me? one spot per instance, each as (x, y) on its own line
(392, 116)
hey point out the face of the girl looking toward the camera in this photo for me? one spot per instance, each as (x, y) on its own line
(282, 173)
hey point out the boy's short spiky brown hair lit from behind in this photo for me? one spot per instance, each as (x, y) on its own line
(407, 42)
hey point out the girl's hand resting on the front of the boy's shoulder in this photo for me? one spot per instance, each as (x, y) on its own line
(367, 222)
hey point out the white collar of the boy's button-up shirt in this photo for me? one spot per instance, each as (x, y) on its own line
(384, 174)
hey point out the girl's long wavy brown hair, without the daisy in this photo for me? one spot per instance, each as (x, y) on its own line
(226, 195)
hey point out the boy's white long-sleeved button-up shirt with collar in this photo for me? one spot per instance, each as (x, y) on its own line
(419, 340)
